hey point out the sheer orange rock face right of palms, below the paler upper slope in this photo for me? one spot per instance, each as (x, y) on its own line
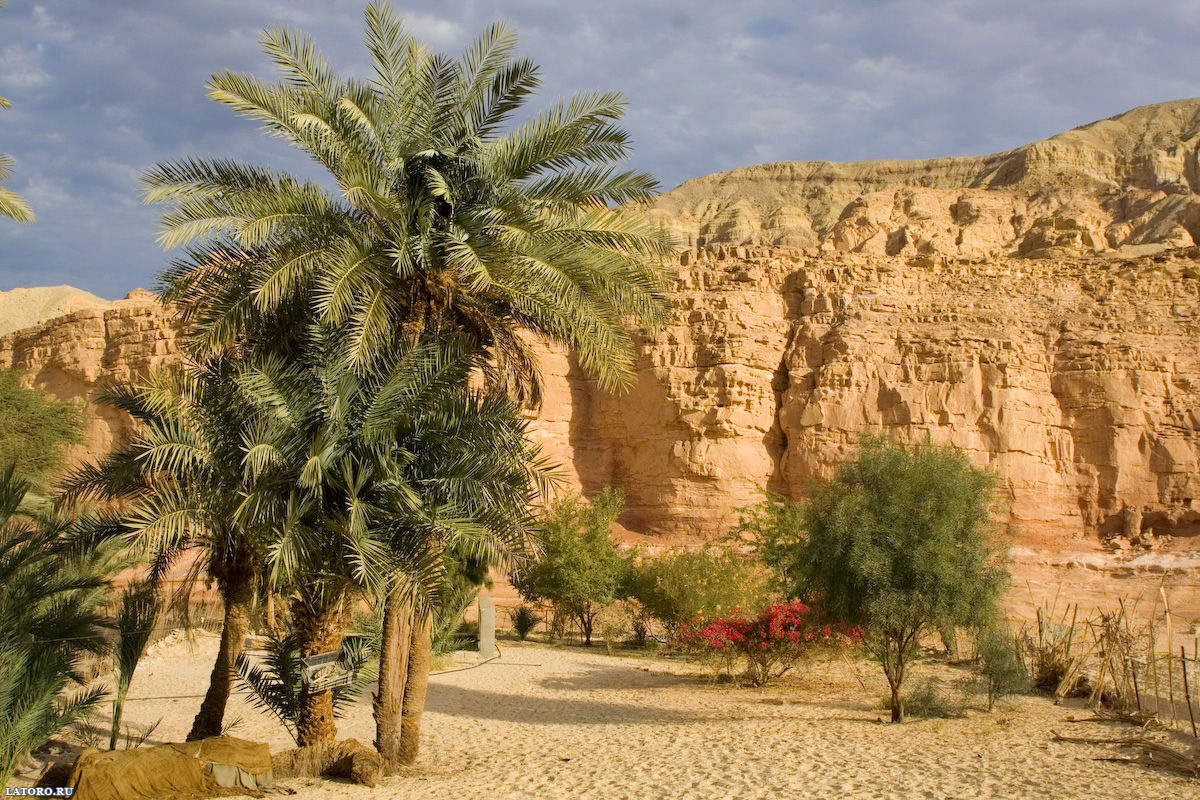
(1078, 381)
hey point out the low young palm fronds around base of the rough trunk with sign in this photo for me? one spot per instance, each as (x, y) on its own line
(275, 683)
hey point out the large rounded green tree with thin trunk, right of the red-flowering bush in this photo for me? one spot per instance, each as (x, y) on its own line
(899, 543)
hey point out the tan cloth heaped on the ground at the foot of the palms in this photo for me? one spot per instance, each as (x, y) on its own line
(211, 768)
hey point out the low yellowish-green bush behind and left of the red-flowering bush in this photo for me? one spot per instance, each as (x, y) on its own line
(681, 586)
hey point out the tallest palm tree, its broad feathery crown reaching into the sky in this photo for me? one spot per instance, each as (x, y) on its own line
(448, 219)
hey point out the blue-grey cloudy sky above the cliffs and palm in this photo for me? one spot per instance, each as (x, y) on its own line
(103, 89)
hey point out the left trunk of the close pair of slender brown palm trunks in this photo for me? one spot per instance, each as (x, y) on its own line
(394, 651)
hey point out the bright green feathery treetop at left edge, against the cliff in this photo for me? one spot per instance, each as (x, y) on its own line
(35, 429)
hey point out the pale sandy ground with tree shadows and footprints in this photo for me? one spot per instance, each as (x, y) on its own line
(565, 723)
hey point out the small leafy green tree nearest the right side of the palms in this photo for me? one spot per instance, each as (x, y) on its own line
(580, 569)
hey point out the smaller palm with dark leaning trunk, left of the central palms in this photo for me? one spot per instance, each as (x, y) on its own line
(182, 483)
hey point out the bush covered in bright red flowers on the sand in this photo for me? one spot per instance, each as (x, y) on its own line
(770, 643)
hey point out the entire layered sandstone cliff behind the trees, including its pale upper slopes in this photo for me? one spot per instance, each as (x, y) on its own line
(1040, 308)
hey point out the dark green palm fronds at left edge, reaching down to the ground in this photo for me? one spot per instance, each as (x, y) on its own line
(55, 575)
